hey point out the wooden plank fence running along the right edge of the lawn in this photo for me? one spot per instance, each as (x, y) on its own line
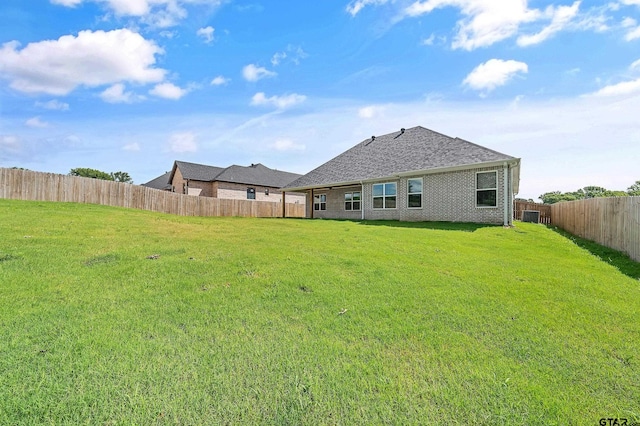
(613, 222)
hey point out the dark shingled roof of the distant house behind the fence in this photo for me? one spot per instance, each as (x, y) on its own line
(256, 174)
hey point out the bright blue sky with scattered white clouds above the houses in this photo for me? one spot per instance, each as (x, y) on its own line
(132, 85)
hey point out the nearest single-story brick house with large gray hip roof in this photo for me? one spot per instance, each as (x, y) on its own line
(413, 175)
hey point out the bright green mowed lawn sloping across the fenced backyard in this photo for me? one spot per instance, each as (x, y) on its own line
(285, 321)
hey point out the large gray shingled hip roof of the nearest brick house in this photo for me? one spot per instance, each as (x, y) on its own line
(416, 149)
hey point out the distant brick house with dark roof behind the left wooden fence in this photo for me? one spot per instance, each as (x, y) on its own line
(255, 182)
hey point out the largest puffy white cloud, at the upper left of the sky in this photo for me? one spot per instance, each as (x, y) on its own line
(91, 59)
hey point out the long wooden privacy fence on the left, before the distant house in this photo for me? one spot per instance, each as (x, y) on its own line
(27, 185)
